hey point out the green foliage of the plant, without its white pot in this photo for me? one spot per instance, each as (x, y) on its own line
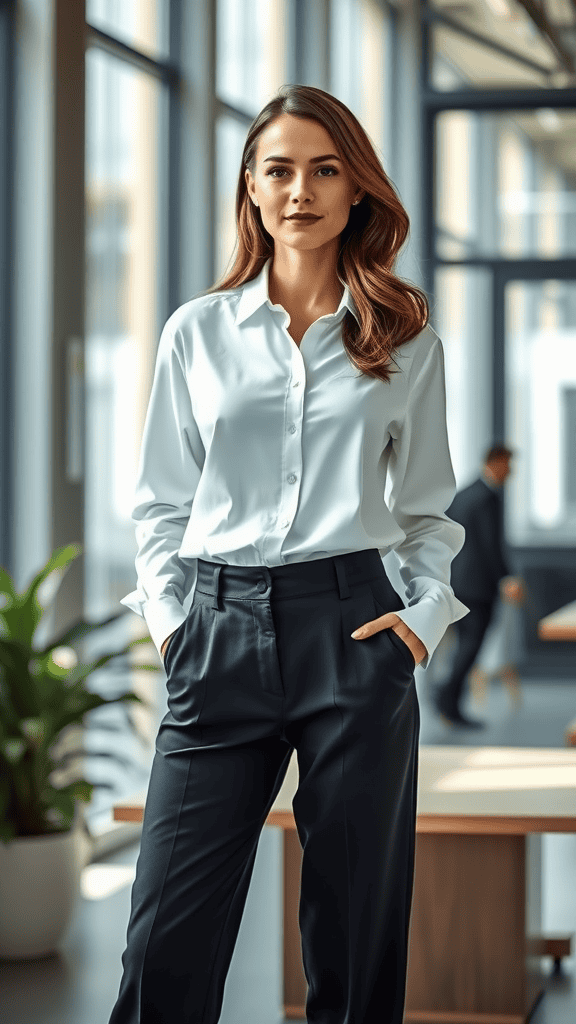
(42, 694)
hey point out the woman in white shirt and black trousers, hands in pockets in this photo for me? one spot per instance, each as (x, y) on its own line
(262, 485)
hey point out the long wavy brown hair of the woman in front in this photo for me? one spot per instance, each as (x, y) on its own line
(392, 312)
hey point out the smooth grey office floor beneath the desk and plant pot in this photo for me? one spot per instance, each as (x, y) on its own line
(79, 986)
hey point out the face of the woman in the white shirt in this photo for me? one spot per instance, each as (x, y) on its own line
(300, 183)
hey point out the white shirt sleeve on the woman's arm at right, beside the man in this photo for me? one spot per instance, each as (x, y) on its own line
(423, 488)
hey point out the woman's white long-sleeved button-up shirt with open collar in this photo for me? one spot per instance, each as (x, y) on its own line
(257, 452)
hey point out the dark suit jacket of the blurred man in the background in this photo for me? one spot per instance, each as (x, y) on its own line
(482, 563)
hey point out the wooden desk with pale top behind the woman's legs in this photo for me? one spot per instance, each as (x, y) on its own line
(476, 928)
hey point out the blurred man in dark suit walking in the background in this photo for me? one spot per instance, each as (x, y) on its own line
(477, 572)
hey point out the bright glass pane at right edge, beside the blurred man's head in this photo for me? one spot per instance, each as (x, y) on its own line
(541, 371)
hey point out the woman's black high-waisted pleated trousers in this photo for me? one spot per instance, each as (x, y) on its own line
(265, 664)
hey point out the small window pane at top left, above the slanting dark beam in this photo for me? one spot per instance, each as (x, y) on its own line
(142, 24)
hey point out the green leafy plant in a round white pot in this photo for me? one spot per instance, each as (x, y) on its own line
(44, 698)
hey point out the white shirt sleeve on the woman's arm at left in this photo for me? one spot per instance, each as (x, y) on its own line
(168, 480)
